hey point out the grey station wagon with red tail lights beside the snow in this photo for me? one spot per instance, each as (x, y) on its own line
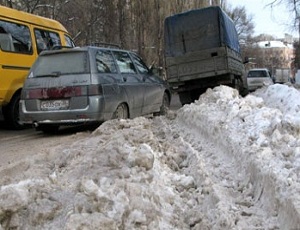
(90, 84)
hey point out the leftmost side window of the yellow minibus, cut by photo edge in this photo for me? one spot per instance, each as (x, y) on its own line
(15, 38)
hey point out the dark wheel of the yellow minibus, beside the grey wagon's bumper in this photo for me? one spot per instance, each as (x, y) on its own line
(11, 113)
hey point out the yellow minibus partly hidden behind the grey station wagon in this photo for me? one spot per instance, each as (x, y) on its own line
(22, 37)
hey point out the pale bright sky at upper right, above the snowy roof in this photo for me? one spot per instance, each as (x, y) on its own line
(275, 22)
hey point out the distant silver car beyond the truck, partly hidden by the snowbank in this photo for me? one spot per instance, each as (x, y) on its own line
(257, 78)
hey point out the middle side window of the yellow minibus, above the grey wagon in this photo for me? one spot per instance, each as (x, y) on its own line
(46, 40)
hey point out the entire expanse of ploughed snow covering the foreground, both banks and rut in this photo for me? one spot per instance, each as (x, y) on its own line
(222, 162)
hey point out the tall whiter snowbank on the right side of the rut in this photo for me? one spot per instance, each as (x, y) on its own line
(262, 134)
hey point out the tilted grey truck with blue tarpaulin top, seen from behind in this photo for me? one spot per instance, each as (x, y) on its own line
(202, 51)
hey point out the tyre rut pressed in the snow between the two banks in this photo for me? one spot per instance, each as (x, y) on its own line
(222, 184)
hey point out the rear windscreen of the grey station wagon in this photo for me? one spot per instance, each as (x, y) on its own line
(61, 63)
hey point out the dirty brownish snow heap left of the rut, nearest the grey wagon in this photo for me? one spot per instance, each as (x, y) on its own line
(111, 179)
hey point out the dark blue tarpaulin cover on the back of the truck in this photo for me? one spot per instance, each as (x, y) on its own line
(199, 29)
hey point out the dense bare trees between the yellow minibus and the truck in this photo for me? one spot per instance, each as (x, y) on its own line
(135, 25)
